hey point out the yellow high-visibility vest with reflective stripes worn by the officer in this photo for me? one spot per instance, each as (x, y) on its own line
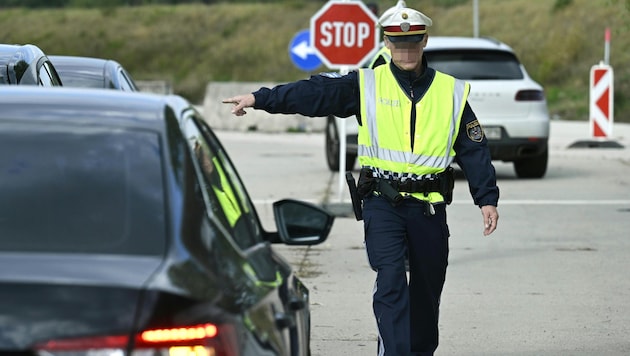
(385, 135)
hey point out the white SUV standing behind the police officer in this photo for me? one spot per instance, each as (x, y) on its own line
(509, 104)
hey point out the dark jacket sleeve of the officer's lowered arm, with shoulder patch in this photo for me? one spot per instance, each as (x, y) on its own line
(473, 157)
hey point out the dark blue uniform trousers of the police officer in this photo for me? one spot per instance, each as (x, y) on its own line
(406, 312)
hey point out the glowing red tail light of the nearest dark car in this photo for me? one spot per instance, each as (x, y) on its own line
(197, 340)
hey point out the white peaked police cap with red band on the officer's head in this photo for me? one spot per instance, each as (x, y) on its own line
(405, 25)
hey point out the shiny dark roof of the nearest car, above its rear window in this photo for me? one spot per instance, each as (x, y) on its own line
(93, 106)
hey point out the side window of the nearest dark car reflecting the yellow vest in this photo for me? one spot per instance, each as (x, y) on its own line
(227, 197)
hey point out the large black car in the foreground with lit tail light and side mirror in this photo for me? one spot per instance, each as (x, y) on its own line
(125, 229)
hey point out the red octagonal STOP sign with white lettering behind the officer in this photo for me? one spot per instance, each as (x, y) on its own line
(344, 33)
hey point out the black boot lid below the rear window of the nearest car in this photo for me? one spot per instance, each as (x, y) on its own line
(49, 297)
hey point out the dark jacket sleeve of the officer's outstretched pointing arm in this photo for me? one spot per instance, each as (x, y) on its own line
(321, 95)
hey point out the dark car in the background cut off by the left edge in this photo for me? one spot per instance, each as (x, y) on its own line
(26, 65)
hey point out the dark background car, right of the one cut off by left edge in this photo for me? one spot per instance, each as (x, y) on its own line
(90, 72)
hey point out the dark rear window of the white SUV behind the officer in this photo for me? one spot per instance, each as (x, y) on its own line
(476, 64)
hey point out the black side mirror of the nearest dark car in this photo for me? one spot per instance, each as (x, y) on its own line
(301, 223)
